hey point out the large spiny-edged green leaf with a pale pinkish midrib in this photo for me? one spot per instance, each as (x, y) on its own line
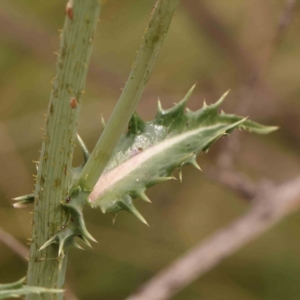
(151, 151)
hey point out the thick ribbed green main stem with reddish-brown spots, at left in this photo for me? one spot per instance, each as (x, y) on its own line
(55, 165)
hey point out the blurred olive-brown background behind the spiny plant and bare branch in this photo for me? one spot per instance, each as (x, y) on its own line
(249, 46)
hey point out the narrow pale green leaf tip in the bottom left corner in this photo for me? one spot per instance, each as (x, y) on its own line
(18, 289)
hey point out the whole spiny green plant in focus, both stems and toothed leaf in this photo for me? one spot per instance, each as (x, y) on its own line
(121, 168)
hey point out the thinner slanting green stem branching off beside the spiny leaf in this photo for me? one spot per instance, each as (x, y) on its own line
(152, 42)
